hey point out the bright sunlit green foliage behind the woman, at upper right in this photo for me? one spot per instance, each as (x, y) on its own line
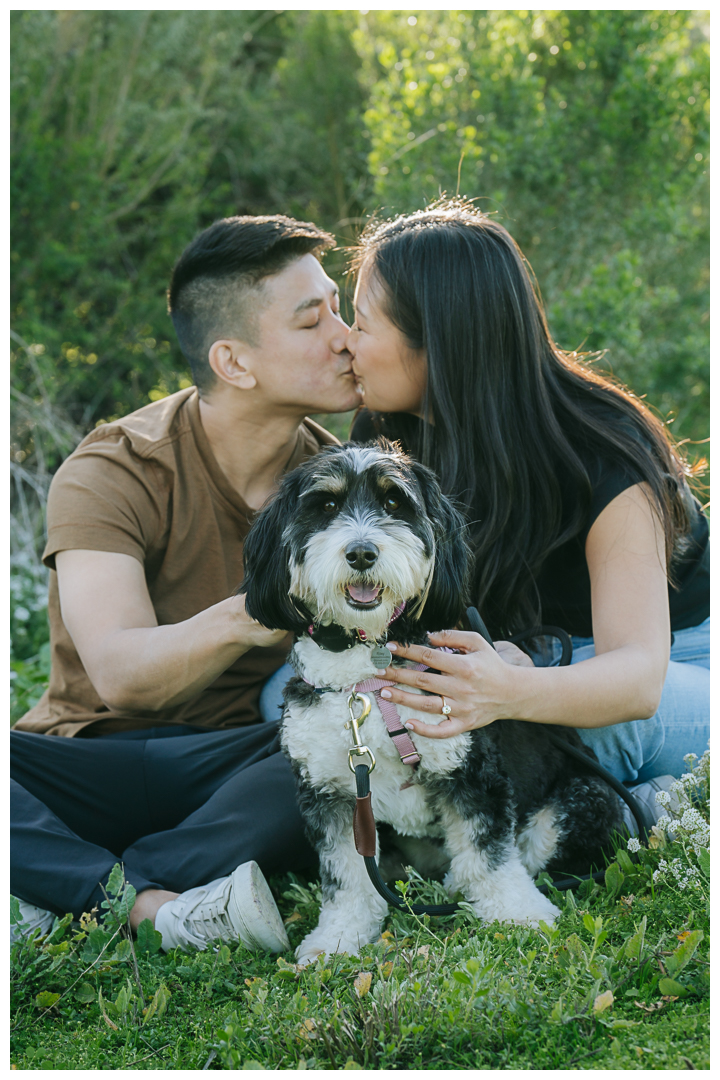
(587, 132)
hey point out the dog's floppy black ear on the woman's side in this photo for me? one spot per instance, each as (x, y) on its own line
(447, 597)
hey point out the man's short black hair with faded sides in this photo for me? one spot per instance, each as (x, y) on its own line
(215, 279)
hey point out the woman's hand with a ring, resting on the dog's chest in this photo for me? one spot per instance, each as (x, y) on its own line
(477, 682)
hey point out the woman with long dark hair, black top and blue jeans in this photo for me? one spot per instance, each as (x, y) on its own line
(578, 505)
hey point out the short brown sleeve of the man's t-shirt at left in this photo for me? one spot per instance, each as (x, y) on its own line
(104, 498)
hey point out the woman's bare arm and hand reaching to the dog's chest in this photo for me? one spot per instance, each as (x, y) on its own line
(626, 555)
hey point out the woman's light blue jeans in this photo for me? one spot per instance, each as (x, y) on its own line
(639, 750)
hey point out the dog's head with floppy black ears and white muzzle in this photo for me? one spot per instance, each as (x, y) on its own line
(351, 536)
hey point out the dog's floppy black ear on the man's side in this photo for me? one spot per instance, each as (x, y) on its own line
(266, 557)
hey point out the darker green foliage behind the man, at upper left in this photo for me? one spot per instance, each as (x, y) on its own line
(131, 132)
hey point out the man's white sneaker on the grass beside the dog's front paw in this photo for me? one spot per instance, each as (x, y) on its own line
(240, 907)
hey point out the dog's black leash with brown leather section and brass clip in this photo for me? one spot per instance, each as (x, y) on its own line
(364, 827)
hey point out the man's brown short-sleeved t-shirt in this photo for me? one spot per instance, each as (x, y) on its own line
(148, 487)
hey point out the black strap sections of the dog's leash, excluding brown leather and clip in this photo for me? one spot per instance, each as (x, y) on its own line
(641, 815)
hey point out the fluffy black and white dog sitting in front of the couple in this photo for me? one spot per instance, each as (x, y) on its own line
(359, 541)
